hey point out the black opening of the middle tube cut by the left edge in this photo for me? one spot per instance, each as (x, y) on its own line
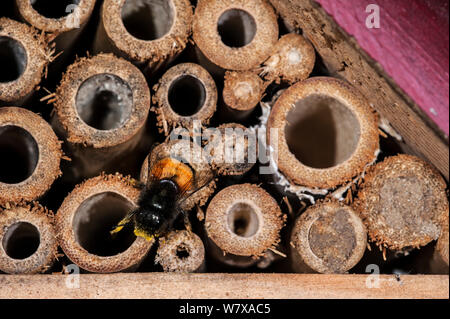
(19, 154)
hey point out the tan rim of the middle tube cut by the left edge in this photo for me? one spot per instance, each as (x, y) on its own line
(48, 165)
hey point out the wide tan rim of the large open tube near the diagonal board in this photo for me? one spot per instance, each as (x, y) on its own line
(366, 148)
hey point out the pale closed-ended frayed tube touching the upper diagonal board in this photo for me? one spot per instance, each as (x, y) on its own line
(292, 61)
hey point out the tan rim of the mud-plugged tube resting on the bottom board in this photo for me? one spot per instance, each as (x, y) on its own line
(302, 230)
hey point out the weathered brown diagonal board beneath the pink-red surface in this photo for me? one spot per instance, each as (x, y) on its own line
(345, 59)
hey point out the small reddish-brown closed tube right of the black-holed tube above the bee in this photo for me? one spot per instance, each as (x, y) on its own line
(242, 93)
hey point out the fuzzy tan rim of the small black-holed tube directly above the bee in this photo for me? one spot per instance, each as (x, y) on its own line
(167, 117)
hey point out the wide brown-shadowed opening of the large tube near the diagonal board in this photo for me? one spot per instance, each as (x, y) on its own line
(321, 131)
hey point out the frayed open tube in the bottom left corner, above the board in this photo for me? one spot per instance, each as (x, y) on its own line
(27, 239)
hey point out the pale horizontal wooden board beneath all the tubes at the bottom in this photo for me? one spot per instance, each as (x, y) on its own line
(224, 286)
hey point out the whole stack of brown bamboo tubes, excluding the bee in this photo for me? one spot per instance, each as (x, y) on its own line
(288, 172)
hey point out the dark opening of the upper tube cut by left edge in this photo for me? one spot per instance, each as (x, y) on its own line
(13, 59)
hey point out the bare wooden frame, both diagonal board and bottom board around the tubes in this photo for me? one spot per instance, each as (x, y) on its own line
(343, 58)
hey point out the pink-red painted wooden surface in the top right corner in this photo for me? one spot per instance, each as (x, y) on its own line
(412, 45)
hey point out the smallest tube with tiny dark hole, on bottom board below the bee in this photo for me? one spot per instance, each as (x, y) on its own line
(181, 251)
